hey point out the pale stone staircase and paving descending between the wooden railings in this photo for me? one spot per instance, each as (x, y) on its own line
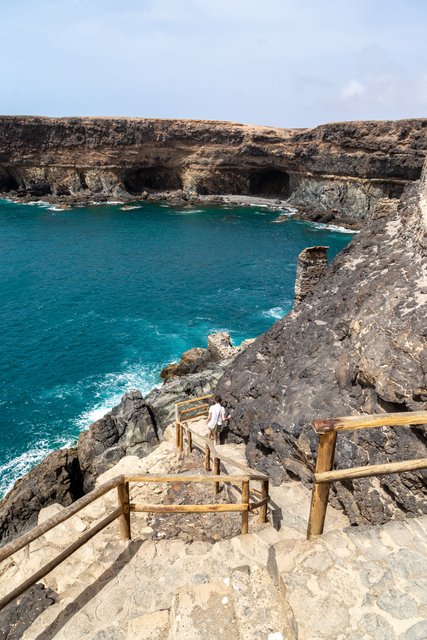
(350, 584)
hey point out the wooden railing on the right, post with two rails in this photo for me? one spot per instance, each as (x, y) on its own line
(323, 476)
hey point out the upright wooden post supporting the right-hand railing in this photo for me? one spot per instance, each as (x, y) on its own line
(320, 492)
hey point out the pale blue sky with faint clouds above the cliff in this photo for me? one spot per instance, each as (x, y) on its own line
(283, 63)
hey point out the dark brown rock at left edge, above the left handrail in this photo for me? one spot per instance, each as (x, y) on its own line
(57, 478)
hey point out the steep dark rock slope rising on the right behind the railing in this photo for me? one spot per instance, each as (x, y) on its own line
(356, 344)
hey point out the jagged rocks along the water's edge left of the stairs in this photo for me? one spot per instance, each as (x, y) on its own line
(134, 427)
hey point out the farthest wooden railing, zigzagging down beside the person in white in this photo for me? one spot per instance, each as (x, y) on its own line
(195, 409)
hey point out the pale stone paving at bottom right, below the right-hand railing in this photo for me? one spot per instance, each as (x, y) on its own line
(362, 582)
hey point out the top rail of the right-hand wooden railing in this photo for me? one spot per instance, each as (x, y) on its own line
(350, 423)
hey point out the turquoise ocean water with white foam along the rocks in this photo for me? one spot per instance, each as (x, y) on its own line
(97, 300)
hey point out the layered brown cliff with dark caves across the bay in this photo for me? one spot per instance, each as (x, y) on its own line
(344, 168)
